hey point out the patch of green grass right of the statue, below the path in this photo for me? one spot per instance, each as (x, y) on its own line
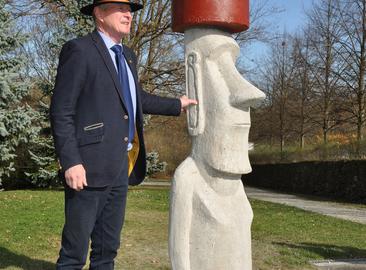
(287, 238)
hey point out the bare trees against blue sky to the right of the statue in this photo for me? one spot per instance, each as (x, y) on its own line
(314, 80)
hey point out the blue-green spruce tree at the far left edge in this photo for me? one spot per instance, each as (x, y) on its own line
(16, 117)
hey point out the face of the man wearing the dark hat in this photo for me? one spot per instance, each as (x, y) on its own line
(114, 18)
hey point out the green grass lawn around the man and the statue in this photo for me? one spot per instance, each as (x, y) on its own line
(283, 237)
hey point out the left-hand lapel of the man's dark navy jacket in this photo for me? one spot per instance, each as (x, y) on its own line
(103, 51)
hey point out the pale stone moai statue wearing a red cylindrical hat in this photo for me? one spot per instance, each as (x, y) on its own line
(210, 215)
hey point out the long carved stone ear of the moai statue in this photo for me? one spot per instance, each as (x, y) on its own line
(194, 91)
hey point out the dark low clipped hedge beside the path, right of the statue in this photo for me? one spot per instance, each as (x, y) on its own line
(340, 180)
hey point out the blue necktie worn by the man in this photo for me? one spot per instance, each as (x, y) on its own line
(123, 78)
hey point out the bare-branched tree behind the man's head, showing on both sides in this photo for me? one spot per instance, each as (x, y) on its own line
(160, 67)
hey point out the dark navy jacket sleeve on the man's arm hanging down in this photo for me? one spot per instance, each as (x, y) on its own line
(71, 74)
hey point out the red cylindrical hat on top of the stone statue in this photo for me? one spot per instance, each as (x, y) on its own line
(229, 15)
